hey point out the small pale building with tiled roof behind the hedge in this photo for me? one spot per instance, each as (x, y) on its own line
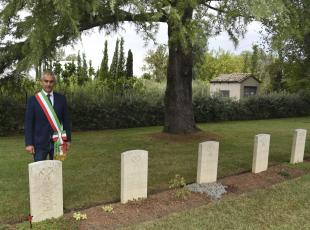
(234, 85)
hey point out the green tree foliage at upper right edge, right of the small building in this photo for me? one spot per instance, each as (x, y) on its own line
(288, 33)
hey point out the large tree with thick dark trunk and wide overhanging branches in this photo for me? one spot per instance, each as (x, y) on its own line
(40, 27)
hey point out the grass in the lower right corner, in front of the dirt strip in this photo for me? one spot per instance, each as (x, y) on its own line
(283, 206)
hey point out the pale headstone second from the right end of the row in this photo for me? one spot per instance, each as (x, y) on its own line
(261, 153)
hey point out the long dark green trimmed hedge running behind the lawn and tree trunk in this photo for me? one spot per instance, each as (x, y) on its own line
(137, 109)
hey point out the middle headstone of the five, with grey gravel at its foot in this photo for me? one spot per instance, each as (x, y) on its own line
(207, 162)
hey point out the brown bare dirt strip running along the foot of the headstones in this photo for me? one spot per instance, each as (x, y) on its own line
(164, 203)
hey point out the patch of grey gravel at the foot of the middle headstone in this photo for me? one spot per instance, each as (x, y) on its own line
(213, 190)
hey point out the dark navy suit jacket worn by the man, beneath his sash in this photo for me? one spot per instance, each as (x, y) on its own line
(38, 131)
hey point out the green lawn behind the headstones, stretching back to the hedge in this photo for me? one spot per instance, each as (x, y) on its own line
(92, 171)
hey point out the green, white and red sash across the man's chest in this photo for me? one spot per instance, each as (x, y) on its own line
(59, 136)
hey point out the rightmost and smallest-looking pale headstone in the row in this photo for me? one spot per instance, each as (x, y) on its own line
(298, 147)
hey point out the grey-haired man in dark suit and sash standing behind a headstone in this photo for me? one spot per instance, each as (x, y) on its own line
(46, 119)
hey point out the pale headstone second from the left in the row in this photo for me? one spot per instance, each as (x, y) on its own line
(134, 170)
